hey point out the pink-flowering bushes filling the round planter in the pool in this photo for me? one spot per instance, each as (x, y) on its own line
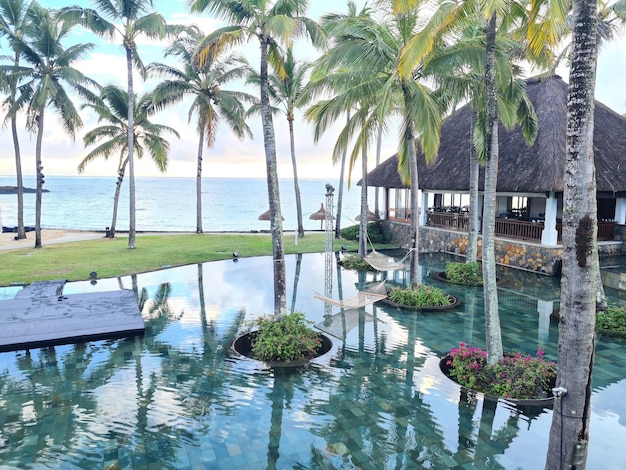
(517, 375)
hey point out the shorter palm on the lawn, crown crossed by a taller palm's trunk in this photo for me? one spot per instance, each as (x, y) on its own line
(111, 108)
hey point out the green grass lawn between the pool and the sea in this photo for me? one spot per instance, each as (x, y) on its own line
(111, 257)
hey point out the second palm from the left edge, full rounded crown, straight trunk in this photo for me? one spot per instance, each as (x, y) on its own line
(46, 79)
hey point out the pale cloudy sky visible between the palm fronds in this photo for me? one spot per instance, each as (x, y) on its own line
(229, 157)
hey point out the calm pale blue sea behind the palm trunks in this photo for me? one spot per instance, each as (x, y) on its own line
(169, 204)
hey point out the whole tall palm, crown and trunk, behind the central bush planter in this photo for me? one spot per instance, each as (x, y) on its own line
(268, 22)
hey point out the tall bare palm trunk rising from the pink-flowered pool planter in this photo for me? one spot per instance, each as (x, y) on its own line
(492, 317)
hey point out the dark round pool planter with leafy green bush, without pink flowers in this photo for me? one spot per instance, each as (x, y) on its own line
(284, 340)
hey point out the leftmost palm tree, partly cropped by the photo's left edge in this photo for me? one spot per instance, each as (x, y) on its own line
(13, 23)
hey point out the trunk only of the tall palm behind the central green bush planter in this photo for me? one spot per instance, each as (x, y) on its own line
(276, 224)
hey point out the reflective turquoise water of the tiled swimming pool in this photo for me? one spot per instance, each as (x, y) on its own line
(176, 398)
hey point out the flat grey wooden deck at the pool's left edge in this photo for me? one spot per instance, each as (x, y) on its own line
(41, 315)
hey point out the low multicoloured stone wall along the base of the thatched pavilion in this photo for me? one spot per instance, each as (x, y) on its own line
(514, 253)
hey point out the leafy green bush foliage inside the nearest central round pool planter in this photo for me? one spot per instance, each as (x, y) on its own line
(287, 338)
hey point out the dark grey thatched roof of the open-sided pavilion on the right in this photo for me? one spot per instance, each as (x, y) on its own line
(523, 169)
